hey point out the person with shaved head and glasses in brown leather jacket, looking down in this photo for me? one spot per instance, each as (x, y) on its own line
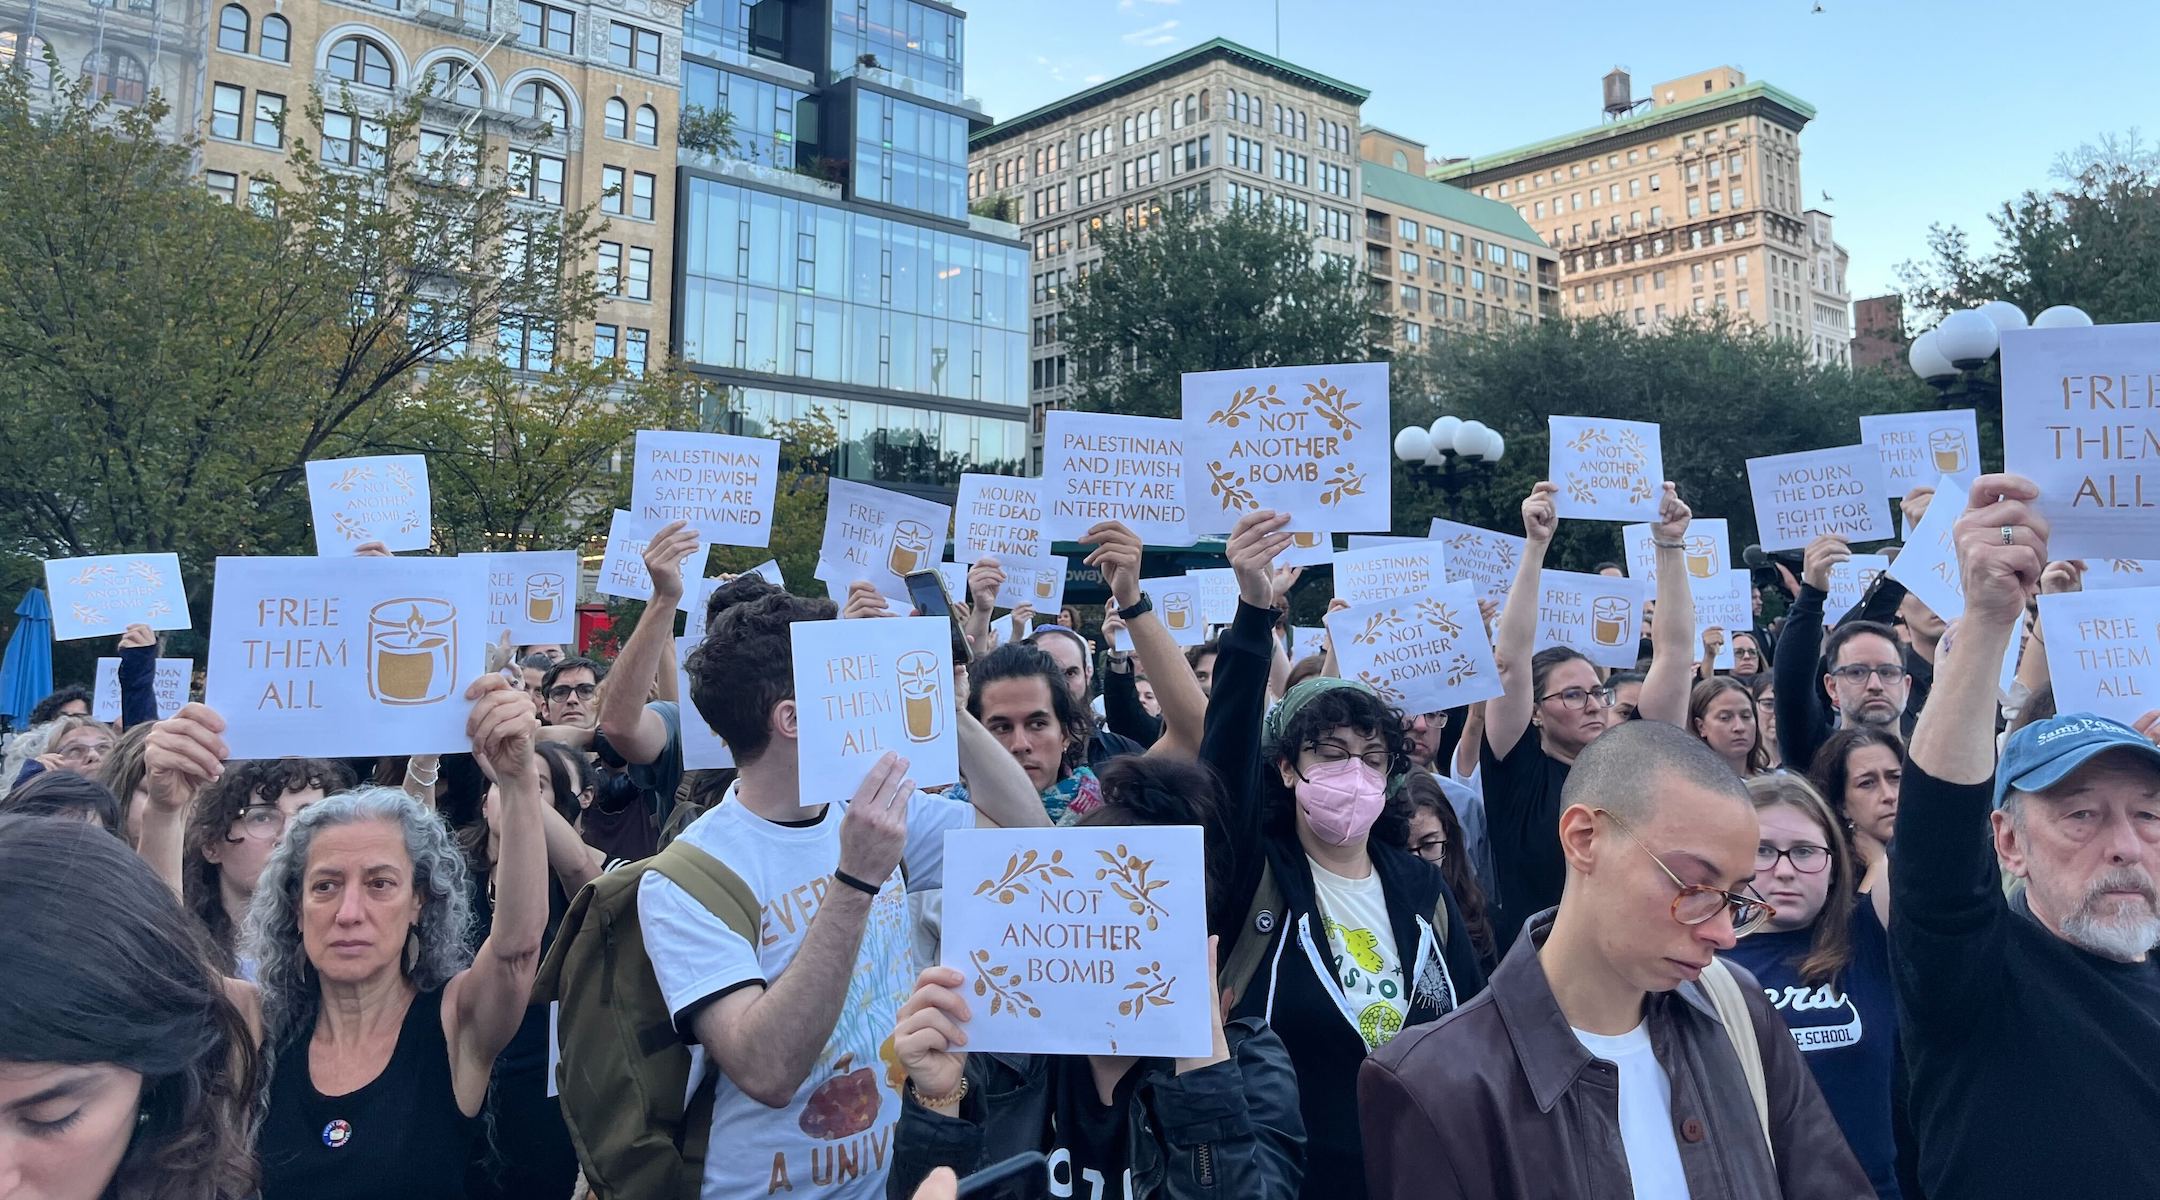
(1597, 1065)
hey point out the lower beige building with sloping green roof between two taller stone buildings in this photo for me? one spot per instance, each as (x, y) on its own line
(1444, 260)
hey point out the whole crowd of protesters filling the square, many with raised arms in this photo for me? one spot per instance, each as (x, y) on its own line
(1839, 921)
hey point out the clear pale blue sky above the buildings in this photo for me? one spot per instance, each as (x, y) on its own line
(1928, 111)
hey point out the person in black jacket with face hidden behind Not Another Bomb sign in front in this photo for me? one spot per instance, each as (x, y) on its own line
(1137, 1130)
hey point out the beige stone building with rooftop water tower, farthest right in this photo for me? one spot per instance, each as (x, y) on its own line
(1690, 202)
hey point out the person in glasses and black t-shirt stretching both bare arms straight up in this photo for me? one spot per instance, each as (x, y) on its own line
(1556, 705)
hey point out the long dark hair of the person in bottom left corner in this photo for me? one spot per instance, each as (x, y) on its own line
(105, 968)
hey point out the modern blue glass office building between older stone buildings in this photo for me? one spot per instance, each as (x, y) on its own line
(828, 260)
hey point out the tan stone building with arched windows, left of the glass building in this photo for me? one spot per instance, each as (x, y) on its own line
(578, 98)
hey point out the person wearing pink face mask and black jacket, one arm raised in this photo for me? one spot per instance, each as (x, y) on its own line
(1332, 931)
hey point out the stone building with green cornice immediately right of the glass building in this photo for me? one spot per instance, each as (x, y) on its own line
(1213, 126)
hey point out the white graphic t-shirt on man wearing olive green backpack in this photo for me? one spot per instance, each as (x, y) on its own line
(835, 1138)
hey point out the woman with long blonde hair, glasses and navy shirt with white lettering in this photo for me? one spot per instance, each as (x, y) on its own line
(1824, 962)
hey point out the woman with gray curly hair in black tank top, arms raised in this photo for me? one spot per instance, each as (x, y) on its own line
(379, 1024)
